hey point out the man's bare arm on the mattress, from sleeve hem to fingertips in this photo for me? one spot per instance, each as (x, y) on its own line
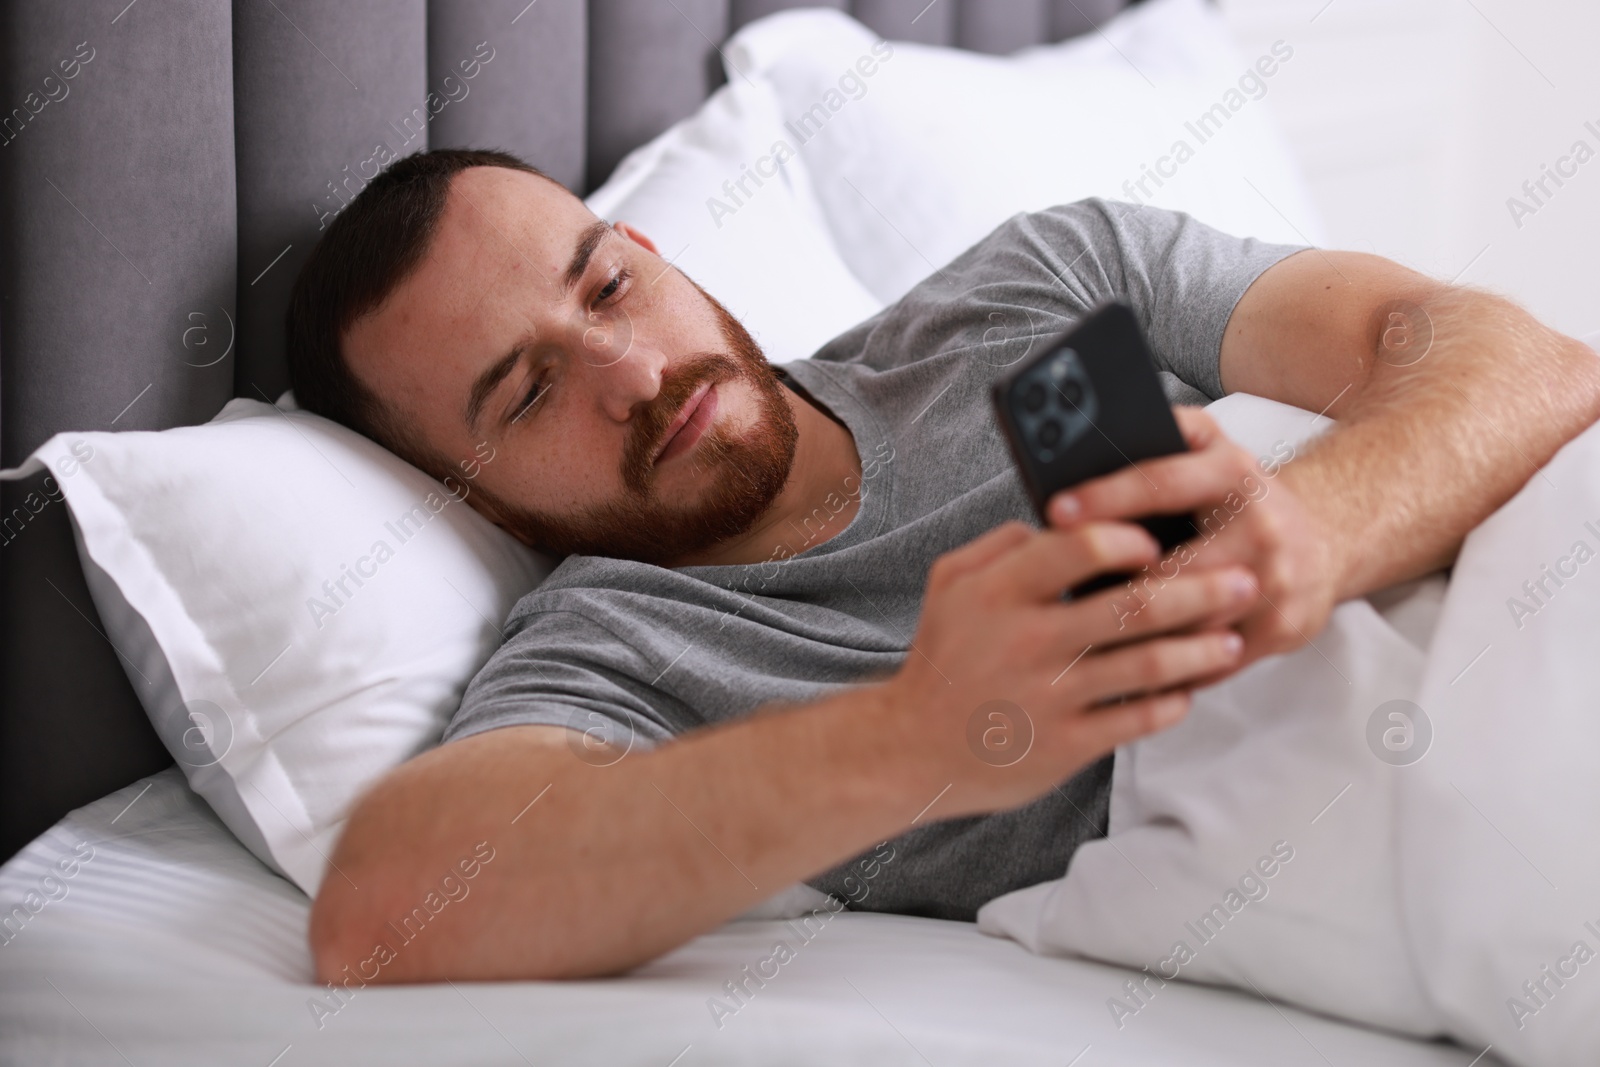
(598, 869)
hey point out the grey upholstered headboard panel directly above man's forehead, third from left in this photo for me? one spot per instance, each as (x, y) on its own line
(530, 97)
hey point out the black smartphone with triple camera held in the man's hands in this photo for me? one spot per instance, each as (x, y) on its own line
(1090, 404)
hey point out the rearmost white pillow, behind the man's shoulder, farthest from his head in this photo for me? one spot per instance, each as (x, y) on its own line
(919, 151)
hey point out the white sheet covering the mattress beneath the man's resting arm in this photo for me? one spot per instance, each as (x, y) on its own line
(175, 946)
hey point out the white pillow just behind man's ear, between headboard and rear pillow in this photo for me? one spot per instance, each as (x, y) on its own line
(764, 250)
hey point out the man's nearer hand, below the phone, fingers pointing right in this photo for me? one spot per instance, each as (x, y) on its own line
(999, 652)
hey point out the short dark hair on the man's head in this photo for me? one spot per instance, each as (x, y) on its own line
(369, 250)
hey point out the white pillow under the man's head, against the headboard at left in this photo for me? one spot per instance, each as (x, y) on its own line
(298, 610)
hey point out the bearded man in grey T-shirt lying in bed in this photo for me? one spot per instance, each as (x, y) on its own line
(793, 601)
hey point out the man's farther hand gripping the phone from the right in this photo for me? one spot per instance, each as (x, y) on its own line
(1246, 516)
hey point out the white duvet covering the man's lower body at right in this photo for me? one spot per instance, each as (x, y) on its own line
(1399, 825)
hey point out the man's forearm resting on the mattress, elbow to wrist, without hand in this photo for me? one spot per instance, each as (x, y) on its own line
(610, 866)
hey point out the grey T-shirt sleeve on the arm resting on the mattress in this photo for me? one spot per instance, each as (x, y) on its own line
(562, 669)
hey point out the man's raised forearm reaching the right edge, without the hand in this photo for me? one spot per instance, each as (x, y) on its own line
(1426, 449)
